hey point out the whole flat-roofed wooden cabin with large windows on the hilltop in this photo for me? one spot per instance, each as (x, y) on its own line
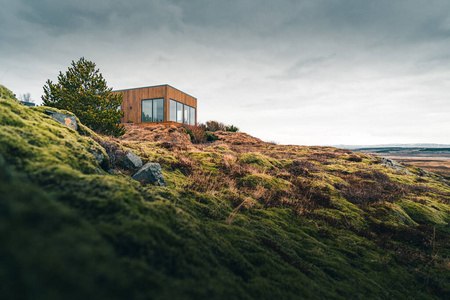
(161, 104)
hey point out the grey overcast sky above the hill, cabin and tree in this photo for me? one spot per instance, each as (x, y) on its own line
(295, 72)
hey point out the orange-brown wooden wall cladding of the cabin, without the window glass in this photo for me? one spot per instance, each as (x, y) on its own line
(132, 101)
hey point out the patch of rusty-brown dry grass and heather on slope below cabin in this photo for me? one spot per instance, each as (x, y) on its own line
(279, 175)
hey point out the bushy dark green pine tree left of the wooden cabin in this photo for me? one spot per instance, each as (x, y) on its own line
(83, 91)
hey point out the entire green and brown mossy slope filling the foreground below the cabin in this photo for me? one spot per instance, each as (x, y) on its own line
(235, 222)
